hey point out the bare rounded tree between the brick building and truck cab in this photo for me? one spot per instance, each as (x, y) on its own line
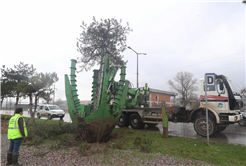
(185, 85)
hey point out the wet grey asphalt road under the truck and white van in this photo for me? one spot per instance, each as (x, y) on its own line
(233, 134)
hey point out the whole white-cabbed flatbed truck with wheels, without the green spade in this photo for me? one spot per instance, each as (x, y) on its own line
(223, 105)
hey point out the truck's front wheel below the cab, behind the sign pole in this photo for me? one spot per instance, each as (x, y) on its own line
(200, 126)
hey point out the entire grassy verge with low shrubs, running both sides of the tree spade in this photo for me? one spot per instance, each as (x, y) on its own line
(60, 135)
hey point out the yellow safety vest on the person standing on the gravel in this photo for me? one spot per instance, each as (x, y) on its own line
(13, 130)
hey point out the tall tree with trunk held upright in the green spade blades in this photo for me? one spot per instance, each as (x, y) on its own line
(104, 37)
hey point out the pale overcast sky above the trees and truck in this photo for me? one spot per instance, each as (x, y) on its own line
(194, 36)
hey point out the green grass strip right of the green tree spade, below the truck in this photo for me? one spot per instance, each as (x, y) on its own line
(218, 153)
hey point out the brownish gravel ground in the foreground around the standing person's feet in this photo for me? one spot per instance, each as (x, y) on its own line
(98, 154)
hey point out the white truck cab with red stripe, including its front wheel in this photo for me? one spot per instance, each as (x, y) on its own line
(223, 105)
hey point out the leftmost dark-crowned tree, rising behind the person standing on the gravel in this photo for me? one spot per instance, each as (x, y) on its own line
(16, 75)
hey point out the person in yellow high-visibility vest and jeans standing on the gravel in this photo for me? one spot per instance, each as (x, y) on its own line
(17, 131)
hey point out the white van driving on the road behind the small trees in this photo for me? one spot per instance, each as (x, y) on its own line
(50, 111)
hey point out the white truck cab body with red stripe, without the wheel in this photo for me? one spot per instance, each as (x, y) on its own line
(222, 100)
